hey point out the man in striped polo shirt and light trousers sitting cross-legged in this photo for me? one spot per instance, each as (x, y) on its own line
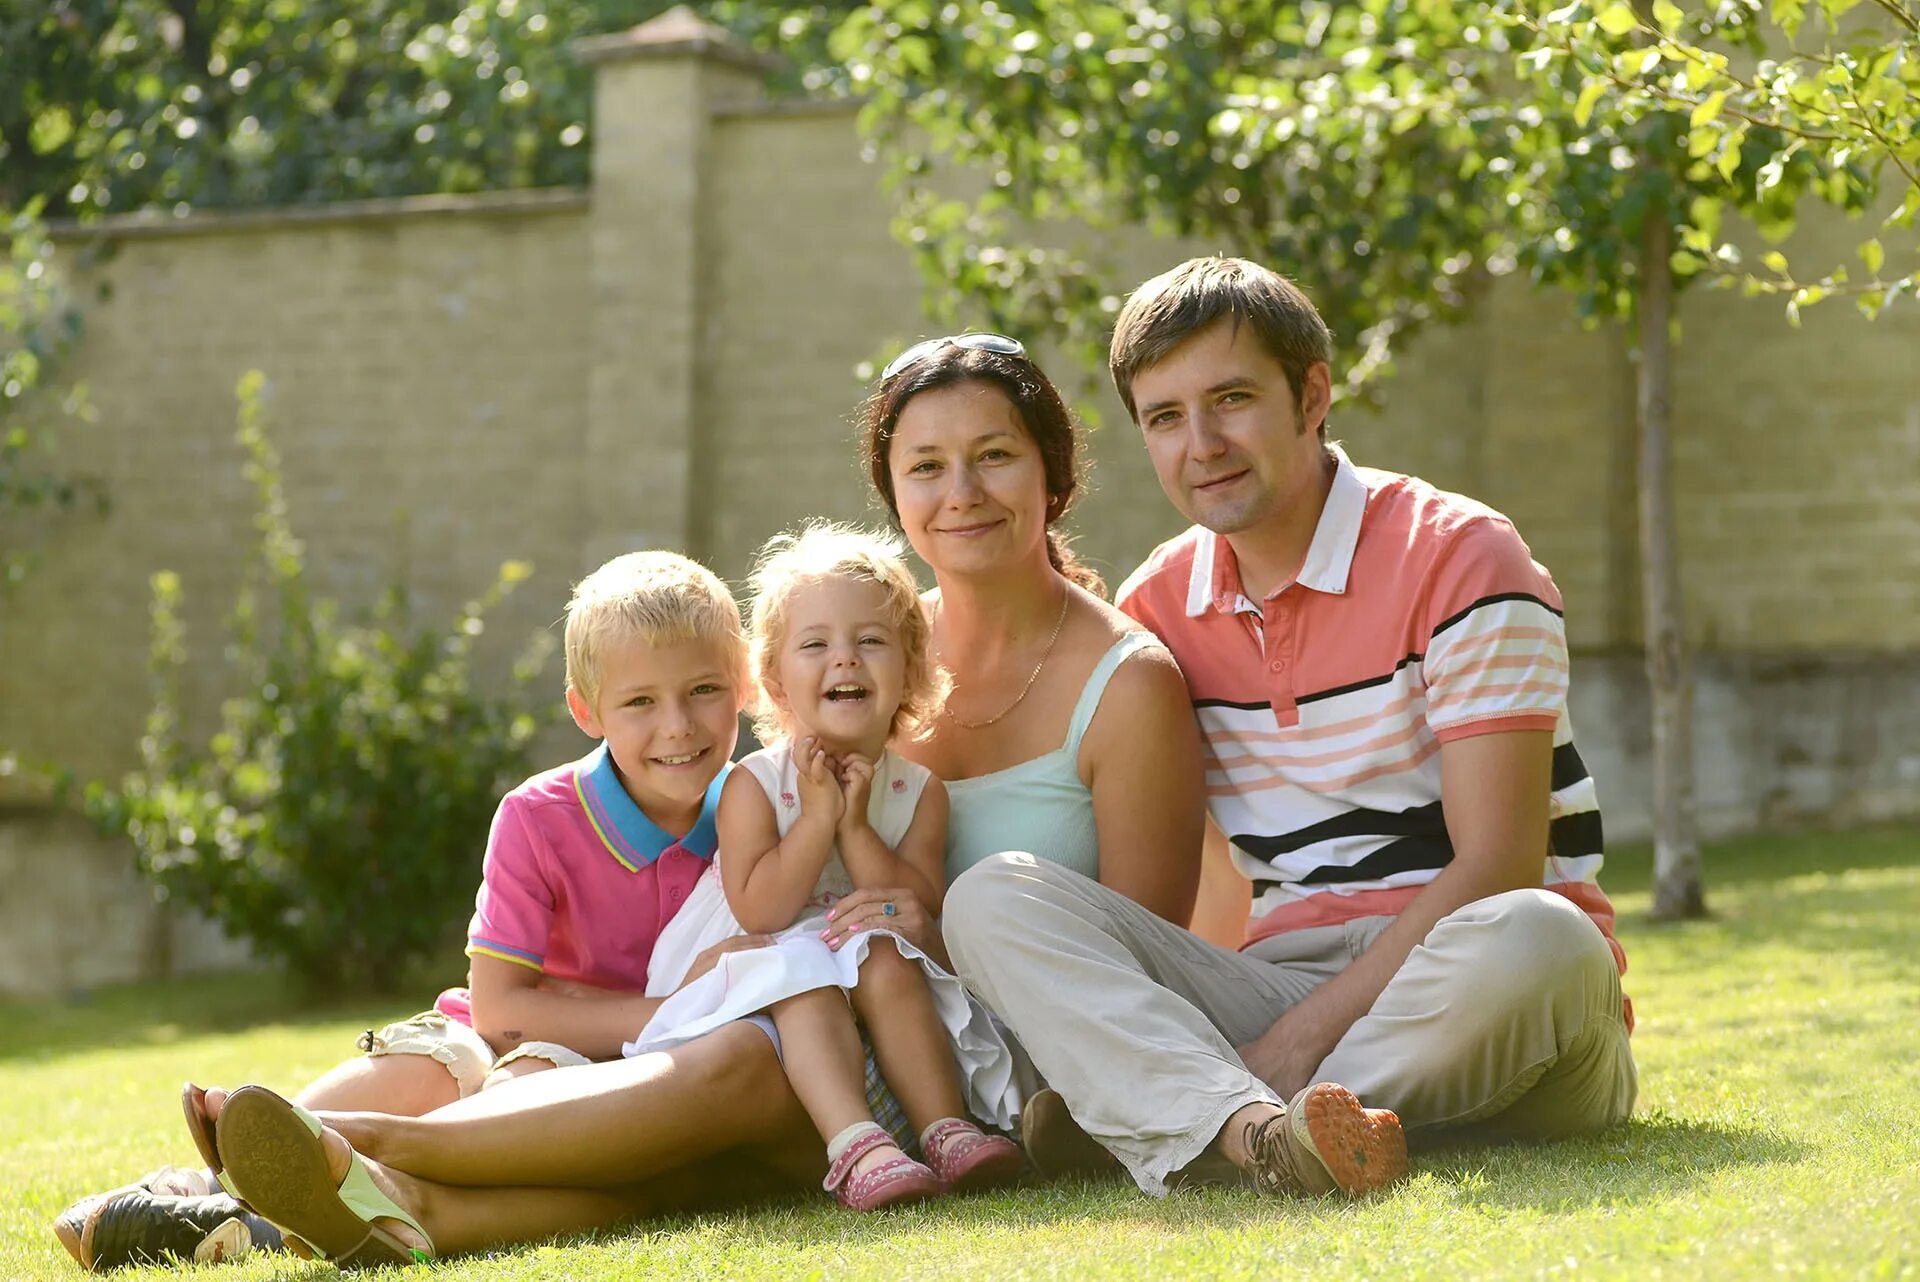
(1399, 815)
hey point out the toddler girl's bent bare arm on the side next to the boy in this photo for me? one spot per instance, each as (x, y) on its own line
(769, 878)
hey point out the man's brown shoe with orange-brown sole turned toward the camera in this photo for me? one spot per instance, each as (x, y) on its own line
(1326, 1143)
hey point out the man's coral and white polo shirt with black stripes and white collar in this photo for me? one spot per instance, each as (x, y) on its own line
(1416, 619)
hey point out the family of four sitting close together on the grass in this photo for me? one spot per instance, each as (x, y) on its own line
(1287, 857)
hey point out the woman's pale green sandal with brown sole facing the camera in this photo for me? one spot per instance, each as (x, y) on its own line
(277, 1166)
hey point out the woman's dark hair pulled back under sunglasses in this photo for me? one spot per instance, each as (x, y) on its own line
(1042, 412)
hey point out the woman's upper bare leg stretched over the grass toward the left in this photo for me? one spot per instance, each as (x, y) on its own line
(606, 1124)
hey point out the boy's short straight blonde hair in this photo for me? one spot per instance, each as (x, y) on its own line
(656, 598)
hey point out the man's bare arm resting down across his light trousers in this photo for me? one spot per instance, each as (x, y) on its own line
(1497, 794)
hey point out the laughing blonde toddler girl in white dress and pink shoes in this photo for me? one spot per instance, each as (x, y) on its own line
(840, 652)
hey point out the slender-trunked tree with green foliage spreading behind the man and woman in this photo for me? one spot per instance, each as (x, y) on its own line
(1403, 149)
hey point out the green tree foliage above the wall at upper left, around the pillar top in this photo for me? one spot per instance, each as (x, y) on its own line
(132, 105)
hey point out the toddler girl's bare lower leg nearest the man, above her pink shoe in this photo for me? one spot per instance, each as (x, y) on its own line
(909, 1037)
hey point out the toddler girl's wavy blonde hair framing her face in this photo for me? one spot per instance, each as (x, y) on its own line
(823, 552)
